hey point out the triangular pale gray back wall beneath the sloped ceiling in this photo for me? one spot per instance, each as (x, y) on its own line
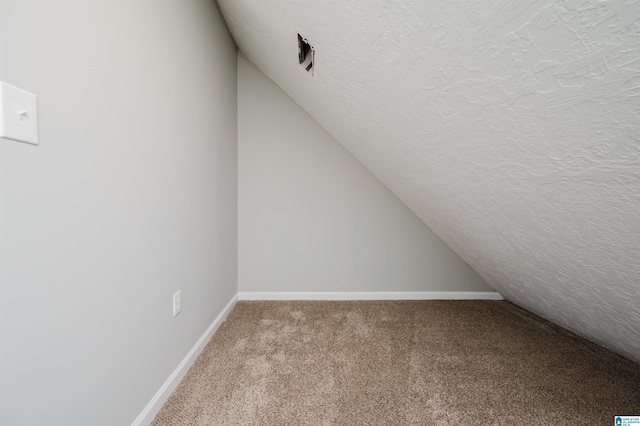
(313, 219)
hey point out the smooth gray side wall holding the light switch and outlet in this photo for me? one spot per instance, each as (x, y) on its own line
(131, 195)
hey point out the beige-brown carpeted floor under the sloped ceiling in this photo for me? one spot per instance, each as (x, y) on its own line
(400, 363)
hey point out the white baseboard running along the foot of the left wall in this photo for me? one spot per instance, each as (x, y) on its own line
(147, 415)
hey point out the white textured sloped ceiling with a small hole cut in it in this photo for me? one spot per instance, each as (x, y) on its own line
(511, 128)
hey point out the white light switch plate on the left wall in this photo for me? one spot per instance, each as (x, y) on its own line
(18, 114)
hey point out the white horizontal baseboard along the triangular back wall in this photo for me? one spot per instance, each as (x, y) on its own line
(372, 295)
